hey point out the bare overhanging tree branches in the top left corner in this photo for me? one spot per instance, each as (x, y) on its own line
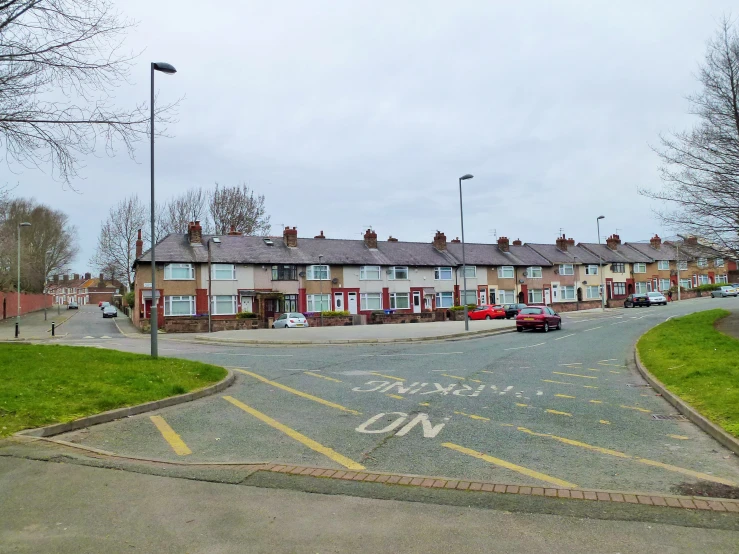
(60, 61)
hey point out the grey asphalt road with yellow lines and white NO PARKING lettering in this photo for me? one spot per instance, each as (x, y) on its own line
(563, 408)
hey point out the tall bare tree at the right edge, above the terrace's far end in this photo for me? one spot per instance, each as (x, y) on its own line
(700, 167)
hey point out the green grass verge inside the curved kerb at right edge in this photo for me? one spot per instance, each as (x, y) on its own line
(698, 363)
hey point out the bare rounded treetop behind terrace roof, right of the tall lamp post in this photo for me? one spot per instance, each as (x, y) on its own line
(240, 208)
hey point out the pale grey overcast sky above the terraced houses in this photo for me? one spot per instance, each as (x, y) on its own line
(351, 114)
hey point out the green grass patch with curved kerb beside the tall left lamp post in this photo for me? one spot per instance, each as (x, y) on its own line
(41, 385)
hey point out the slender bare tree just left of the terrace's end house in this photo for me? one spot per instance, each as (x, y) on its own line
(116, 248)
